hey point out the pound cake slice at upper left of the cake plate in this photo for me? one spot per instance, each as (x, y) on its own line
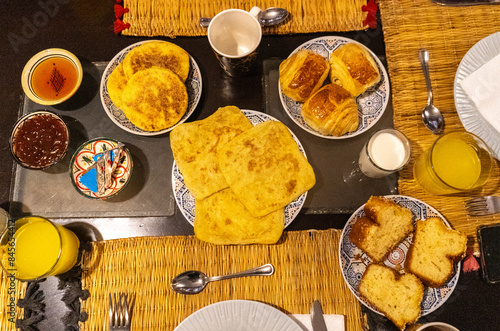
(384, 226)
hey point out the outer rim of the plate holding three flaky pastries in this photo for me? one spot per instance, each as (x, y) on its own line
(357, 132)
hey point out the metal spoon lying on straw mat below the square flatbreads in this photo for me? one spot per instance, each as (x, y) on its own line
(193, 282)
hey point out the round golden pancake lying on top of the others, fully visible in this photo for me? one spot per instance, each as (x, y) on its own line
(154, 99)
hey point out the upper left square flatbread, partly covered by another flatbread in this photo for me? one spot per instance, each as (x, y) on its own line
(194, 146)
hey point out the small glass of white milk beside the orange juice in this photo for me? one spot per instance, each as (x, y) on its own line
(386, 152)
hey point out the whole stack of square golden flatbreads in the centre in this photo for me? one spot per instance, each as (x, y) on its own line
(241, 176)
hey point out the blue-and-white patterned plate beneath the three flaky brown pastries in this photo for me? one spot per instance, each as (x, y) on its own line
(371, 104)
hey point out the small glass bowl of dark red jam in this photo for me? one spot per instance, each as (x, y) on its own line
(39, 140)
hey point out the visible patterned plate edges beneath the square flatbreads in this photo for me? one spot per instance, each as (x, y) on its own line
(301, 198)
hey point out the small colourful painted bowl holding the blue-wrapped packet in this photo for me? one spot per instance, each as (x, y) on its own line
(83, 159)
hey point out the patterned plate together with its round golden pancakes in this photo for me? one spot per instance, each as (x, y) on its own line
(150, 87)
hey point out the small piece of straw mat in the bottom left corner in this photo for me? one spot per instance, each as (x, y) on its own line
(10, 292)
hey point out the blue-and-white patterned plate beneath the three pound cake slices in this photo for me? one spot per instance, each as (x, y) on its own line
(354, 261)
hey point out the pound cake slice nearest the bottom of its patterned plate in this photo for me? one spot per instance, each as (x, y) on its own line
(397, 296)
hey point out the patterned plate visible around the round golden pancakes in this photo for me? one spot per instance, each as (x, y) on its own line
(193, 85)
